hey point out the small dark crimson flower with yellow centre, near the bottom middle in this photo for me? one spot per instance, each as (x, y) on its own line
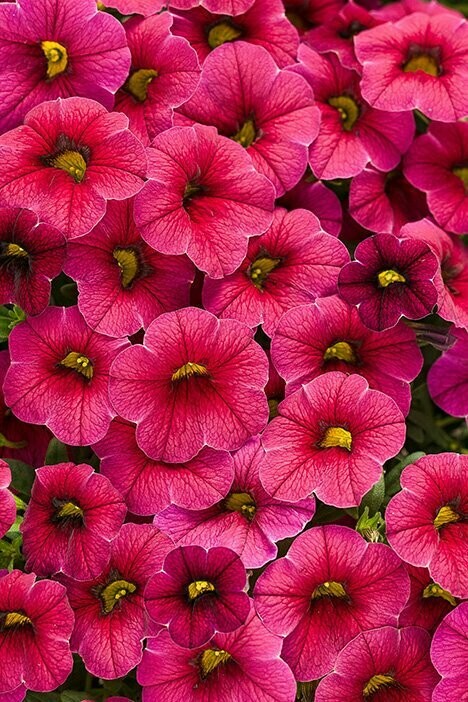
(198, 593)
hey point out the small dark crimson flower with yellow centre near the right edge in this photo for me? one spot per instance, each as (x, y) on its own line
(389, 279)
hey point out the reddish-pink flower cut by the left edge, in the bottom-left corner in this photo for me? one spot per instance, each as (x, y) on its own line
(35, 627)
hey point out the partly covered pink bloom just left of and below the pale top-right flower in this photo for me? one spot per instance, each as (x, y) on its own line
(352, 134)
